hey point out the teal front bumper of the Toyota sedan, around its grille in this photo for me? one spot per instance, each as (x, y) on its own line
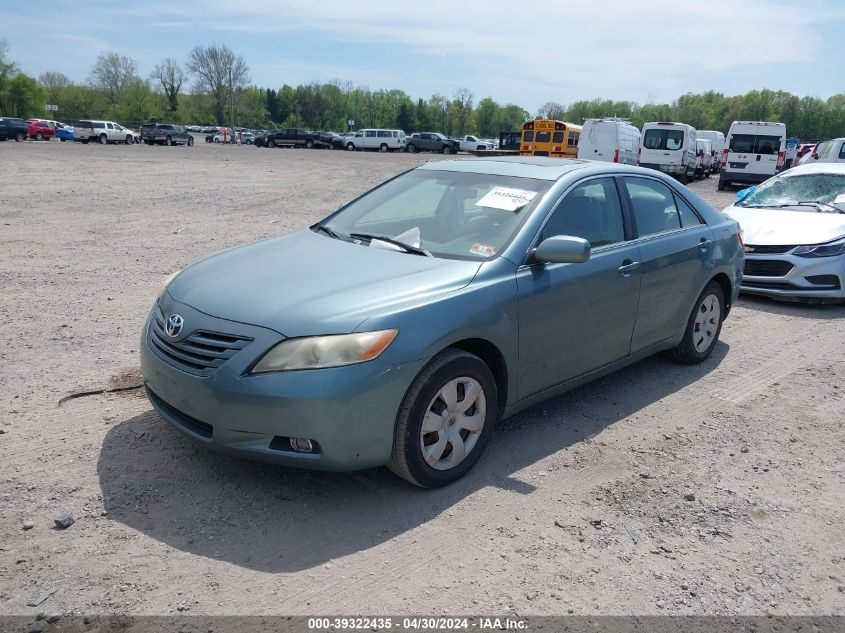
(349, 412)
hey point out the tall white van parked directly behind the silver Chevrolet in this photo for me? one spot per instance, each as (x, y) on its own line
(754, 151)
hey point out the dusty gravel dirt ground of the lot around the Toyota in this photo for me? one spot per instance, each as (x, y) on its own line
(660, 489)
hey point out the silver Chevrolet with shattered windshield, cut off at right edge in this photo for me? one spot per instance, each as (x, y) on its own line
(794, 230)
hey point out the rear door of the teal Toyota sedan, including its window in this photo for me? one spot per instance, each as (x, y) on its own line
(676, 257)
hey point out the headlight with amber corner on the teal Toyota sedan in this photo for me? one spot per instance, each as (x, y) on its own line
(317, 352)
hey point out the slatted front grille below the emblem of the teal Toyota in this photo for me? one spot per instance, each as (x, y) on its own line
(200, 353)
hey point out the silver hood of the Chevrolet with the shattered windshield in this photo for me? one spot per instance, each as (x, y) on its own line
(770, 227)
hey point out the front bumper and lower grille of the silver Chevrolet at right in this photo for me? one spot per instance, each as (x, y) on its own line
(801, 278)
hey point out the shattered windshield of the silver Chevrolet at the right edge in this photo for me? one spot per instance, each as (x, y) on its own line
(799, 191)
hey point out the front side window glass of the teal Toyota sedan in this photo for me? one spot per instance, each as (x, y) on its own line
(591, 211)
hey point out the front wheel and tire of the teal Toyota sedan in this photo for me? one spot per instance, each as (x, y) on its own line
(463, 371)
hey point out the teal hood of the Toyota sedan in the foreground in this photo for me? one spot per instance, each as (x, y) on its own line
(308, 284)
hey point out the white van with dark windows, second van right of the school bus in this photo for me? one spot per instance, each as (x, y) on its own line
(669, 147)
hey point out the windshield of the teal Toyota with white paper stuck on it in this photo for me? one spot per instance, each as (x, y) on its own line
(454, 215)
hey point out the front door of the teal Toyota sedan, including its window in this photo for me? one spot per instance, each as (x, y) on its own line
(574, 318)
